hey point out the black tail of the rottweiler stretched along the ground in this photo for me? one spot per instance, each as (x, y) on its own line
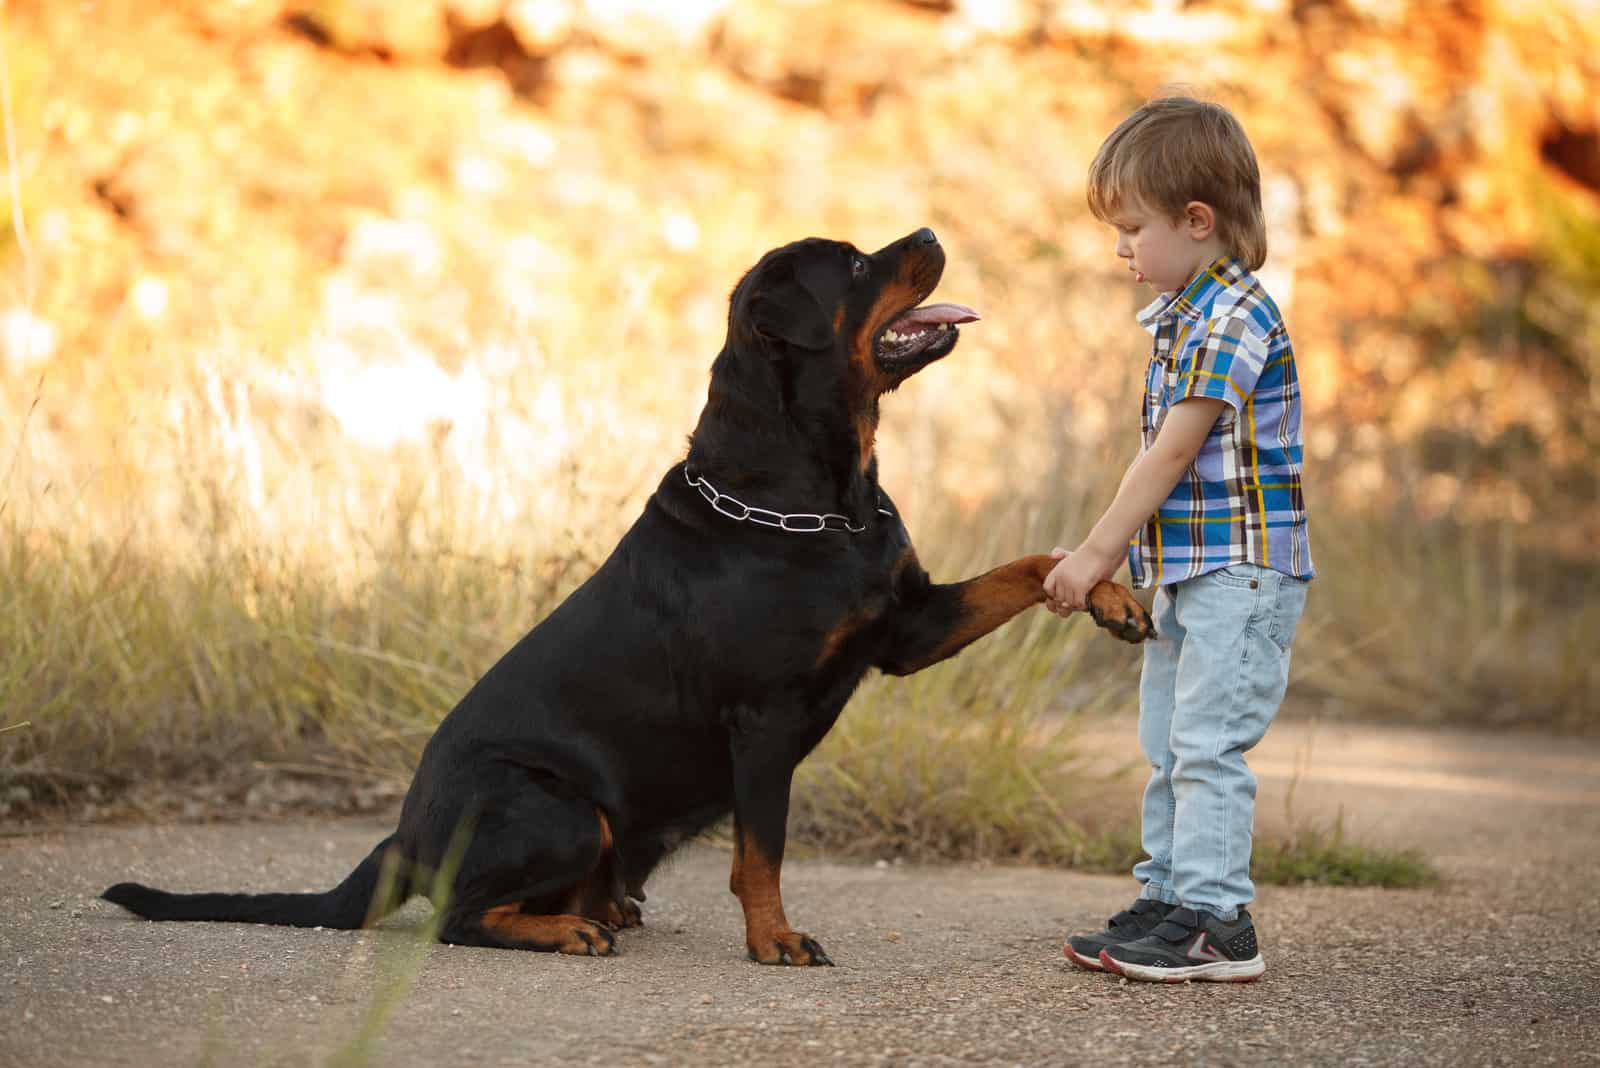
(361, 901)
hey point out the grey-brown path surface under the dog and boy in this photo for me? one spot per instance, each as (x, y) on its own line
(948, 965)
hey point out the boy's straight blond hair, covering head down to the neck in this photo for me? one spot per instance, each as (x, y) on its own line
(1177, 149)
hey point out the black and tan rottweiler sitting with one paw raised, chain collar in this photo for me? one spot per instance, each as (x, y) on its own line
(710, 653)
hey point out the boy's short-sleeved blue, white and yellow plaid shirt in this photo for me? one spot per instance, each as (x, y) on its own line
(1241, 500)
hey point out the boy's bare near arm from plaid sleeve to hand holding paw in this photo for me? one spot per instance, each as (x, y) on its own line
(1146, 485)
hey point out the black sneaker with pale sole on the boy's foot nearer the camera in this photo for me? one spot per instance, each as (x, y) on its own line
(1191, 944)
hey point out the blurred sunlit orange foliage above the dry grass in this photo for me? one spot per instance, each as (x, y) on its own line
(318, 247)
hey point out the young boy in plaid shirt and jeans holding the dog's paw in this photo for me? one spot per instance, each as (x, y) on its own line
(1212, 514)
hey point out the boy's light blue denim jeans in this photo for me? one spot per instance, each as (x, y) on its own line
(1210, 687)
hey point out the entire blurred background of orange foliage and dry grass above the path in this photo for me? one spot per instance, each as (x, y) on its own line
(342, 338)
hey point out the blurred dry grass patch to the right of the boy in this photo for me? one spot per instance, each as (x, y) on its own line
(1433, 621)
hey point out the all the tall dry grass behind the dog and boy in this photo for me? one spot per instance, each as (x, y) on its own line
(218, 637)
